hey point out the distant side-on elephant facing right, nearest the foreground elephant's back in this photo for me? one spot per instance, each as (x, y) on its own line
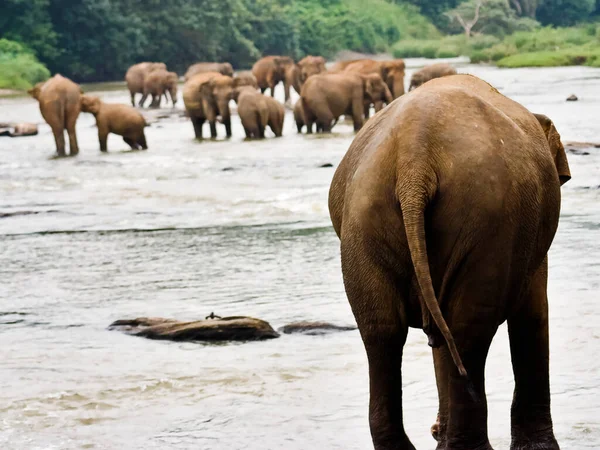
(327, 96)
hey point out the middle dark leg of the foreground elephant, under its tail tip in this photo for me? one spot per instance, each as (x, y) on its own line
(474, 310)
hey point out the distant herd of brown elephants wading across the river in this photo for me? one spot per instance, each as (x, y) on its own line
(347, 88)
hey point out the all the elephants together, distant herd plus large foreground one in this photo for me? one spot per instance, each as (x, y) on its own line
(446, 205)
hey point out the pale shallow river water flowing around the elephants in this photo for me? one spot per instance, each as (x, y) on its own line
(168, 233)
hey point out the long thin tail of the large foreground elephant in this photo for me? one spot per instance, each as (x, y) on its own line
(413, 205)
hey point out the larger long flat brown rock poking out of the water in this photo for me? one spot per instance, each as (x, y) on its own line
(236, 328)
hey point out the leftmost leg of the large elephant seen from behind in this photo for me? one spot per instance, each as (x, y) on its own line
(378, 307)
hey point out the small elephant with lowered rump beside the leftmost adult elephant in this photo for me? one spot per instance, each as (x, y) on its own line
(123, 120)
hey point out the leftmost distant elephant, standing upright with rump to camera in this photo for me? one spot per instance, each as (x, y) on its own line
(60, 104)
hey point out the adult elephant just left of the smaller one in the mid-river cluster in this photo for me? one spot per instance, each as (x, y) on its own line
(206, 96)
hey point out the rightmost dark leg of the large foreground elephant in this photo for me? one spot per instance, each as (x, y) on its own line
(528, 331)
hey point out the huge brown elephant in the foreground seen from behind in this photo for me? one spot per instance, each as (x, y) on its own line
(446, 205)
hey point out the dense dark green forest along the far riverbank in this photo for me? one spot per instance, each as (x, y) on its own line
(96, 40)
